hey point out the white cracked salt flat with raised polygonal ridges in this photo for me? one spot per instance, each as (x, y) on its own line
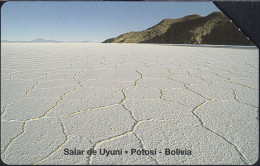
(128, 96)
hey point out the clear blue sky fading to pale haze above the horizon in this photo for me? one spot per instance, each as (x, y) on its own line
(89, 21)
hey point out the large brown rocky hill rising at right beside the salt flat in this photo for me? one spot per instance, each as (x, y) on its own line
(214, 29)
